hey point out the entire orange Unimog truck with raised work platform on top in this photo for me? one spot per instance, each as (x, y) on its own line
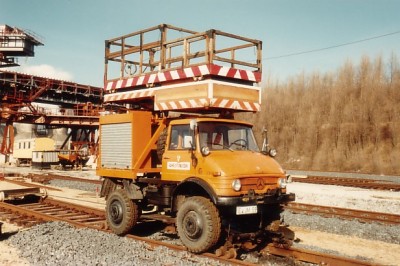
(177, 153)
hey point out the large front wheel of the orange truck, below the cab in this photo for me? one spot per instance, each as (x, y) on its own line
(198, 224)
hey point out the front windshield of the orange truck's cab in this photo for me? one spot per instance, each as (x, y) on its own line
(227, 136)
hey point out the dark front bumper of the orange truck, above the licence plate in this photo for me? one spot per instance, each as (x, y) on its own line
(255, 200)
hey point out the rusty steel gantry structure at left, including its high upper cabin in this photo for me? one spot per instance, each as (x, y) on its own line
(78, 105)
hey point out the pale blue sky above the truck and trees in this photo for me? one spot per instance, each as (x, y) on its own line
(74, 30)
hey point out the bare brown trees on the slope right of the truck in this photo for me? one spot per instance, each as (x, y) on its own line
(343, 121)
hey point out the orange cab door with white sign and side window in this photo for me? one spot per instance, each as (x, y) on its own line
(177, 159)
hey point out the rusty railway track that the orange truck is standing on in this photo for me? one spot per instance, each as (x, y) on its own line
(30, 213)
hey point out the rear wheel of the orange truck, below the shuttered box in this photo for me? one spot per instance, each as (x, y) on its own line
(121, 212)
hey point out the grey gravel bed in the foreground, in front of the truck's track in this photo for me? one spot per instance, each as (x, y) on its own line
(58, 243)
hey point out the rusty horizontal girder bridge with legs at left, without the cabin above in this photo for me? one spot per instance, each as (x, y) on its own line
(68, 105)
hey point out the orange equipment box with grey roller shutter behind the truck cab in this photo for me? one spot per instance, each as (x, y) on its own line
(123, 137)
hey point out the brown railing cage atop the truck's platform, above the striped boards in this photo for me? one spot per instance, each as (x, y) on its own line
(165, 48)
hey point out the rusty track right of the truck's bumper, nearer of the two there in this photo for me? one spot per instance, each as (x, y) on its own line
(328, 211)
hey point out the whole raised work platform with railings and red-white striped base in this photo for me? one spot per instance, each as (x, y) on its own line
(168, 68)
